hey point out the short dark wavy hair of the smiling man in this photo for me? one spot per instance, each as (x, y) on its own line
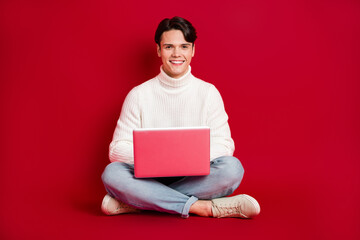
(177, 23)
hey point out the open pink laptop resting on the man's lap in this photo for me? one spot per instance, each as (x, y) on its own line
(170, 152)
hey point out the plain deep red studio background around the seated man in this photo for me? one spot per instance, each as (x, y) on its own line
(289, 75)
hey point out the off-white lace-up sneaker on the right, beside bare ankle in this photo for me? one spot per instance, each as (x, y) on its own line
(242, 206)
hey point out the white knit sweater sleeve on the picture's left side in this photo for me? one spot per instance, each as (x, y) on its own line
(121, 146)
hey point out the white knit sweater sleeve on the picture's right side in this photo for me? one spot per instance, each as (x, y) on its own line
(221, 143)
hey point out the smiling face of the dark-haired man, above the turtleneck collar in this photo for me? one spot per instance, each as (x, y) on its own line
(175, 53)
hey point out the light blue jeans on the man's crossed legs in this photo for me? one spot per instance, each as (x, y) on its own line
(172, 195)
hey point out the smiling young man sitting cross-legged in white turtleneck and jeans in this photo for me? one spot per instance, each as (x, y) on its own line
(175, 98)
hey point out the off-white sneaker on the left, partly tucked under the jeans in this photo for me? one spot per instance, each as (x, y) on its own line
(111, 206)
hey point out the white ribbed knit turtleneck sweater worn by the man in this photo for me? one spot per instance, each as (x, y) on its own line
(168, 102)
